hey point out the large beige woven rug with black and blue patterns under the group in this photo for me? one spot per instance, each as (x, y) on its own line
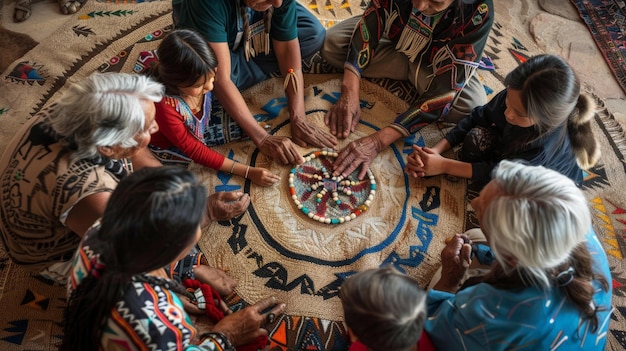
(274, 249)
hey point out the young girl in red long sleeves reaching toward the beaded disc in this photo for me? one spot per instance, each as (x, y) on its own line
(188, 123)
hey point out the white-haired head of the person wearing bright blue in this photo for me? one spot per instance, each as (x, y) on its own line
(533, 218)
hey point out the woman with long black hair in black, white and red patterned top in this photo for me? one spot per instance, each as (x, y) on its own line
(119, 294)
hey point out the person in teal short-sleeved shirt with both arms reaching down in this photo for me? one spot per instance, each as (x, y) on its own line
(252, 40)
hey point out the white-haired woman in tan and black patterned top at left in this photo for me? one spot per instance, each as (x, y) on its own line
(59, 171)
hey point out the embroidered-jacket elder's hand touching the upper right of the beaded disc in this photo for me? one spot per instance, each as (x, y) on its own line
(360, 152)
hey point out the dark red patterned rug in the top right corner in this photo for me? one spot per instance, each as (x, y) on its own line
(606, 20)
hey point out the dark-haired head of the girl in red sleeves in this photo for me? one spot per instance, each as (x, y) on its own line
(187, 64)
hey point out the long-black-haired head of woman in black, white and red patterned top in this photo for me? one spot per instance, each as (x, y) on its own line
(157, 212)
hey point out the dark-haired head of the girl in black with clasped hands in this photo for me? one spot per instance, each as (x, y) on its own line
(543, 91)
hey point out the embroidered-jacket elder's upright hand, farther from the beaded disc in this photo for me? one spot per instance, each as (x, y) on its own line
(344, 115)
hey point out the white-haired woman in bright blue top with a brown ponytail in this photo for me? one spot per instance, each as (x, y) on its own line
(550, 285)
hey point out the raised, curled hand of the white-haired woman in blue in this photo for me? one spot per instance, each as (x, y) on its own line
(455, 261)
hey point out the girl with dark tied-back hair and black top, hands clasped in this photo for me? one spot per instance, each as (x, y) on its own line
(541, 117)
